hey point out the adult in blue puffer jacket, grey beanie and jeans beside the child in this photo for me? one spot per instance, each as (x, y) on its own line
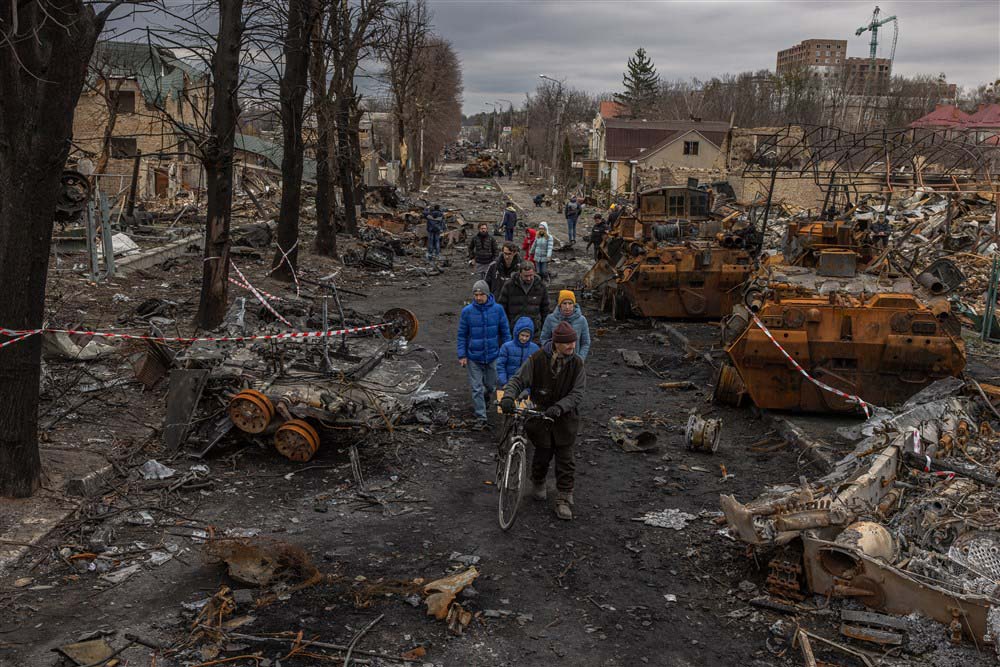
(482, 331)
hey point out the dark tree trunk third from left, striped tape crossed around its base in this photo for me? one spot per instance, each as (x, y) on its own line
(294, 81)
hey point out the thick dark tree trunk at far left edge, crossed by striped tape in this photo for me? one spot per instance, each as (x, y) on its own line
(42, 71)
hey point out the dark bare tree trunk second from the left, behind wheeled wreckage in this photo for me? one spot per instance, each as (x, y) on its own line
(219, 166)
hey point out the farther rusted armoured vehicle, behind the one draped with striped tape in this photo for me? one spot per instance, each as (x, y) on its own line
(672, 259)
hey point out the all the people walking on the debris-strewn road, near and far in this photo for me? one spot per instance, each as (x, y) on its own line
(515, 344)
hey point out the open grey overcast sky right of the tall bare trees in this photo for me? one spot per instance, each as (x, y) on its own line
(505, 44)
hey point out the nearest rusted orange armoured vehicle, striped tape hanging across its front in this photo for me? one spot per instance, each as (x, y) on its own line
(814, 332)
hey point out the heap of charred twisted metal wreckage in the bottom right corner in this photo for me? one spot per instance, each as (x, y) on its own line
(908, 522)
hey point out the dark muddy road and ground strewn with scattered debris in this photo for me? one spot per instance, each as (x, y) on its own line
(603, 589)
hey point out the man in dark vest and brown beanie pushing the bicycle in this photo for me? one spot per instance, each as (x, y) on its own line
(555, 375)
